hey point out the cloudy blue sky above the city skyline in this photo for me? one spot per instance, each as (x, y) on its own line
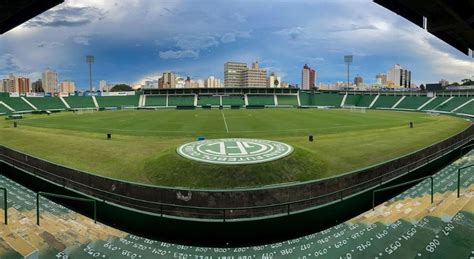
(137, 40)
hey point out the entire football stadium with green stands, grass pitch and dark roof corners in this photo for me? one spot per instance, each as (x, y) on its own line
(239, 172)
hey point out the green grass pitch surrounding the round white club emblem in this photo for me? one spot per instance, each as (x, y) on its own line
(143, 145)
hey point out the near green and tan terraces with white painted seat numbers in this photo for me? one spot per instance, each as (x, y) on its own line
(407, 226)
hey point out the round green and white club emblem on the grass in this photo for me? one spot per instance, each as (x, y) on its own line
(234, 151)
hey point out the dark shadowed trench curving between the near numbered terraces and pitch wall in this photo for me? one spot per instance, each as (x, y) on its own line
(225, 233)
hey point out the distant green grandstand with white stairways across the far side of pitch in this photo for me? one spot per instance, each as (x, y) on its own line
(443, 102)
